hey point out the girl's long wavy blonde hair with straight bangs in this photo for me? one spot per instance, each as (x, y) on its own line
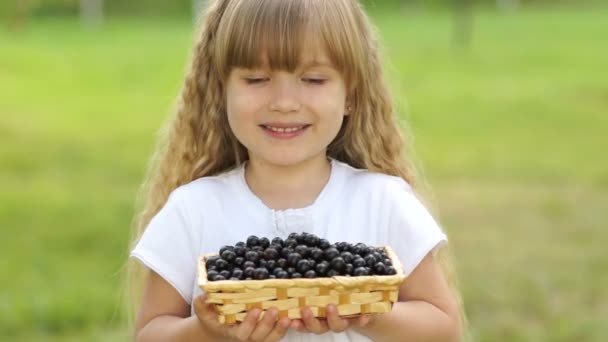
(197, 140)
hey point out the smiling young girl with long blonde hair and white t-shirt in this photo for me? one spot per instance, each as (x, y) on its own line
(285, 125)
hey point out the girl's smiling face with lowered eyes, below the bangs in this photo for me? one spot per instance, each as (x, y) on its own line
(286, 118)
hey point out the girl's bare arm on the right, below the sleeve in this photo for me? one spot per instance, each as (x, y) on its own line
(426, 311)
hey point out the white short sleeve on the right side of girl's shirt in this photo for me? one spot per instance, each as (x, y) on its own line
(413, 232)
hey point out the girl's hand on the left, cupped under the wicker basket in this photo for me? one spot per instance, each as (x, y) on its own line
(269, 329)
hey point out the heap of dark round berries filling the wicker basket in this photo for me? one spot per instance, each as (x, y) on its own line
(299, 256)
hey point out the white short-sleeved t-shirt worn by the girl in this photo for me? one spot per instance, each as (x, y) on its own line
(354, 206)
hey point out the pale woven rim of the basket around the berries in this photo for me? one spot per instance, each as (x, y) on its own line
(344, 281)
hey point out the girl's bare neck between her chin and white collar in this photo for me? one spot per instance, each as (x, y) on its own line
(288, 187)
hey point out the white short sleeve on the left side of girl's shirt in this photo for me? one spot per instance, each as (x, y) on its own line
(167, 246)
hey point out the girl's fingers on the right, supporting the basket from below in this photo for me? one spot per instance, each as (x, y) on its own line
(333, 322)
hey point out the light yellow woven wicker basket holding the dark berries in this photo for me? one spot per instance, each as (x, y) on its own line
(353, 296)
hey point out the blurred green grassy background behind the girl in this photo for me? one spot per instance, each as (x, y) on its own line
(507, 101)
